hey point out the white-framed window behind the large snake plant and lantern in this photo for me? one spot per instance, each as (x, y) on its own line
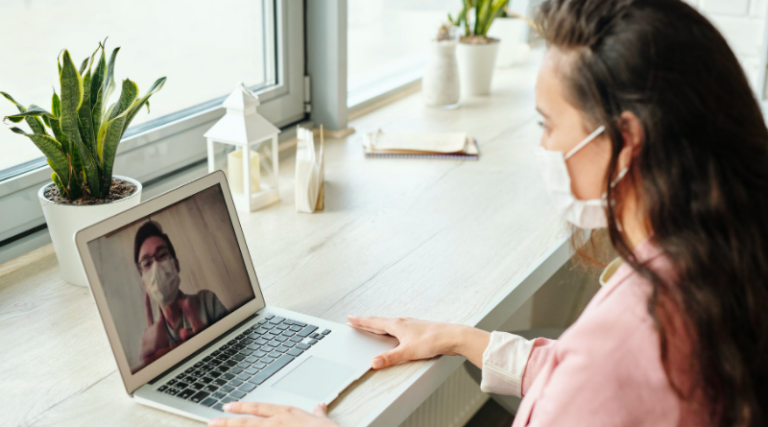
(204, 48)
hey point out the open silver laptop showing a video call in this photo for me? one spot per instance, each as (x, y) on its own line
(178, 295)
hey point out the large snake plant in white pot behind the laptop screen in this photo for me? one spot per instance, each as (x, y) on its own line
(79, 138)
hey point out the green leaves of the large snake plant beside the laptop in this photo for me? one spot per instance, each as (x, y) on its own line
(84, 135)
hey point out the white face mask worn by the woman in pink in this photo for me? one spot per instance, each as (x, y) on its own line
(581, 213)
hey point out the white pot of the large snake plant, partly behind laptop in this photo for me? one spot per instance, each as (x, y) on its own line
(65, 220)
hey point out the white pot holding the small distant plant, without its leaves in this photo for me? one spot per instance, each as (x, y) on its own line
(476, 64)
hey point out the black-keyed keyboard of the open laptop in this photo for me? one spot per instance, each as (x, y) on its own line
(244, 363)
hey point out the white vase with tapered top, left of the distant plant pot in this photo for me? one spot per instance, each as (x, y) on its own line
(440, 85)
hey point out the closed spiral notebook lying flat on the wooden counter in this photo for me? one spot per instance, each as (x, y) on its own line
(440, 145)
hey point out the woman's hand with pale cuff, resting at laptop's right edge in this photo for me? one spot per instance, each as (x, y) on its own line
(420, 339)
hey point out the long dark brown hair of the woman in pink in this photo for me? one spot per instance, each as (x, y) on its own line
(701, 174)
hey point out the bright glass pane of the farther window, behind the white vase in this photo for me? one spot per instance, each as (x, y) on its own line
(390, 37)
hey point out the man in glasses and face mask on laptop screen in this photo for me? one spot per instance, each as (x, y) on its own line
(181, 316)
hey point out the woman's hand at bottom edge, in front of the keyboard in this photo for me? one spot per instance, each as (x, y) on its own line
(269, 415)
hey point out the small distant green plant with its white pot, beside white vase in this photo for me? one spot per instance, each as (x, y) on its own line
(476, 51)
